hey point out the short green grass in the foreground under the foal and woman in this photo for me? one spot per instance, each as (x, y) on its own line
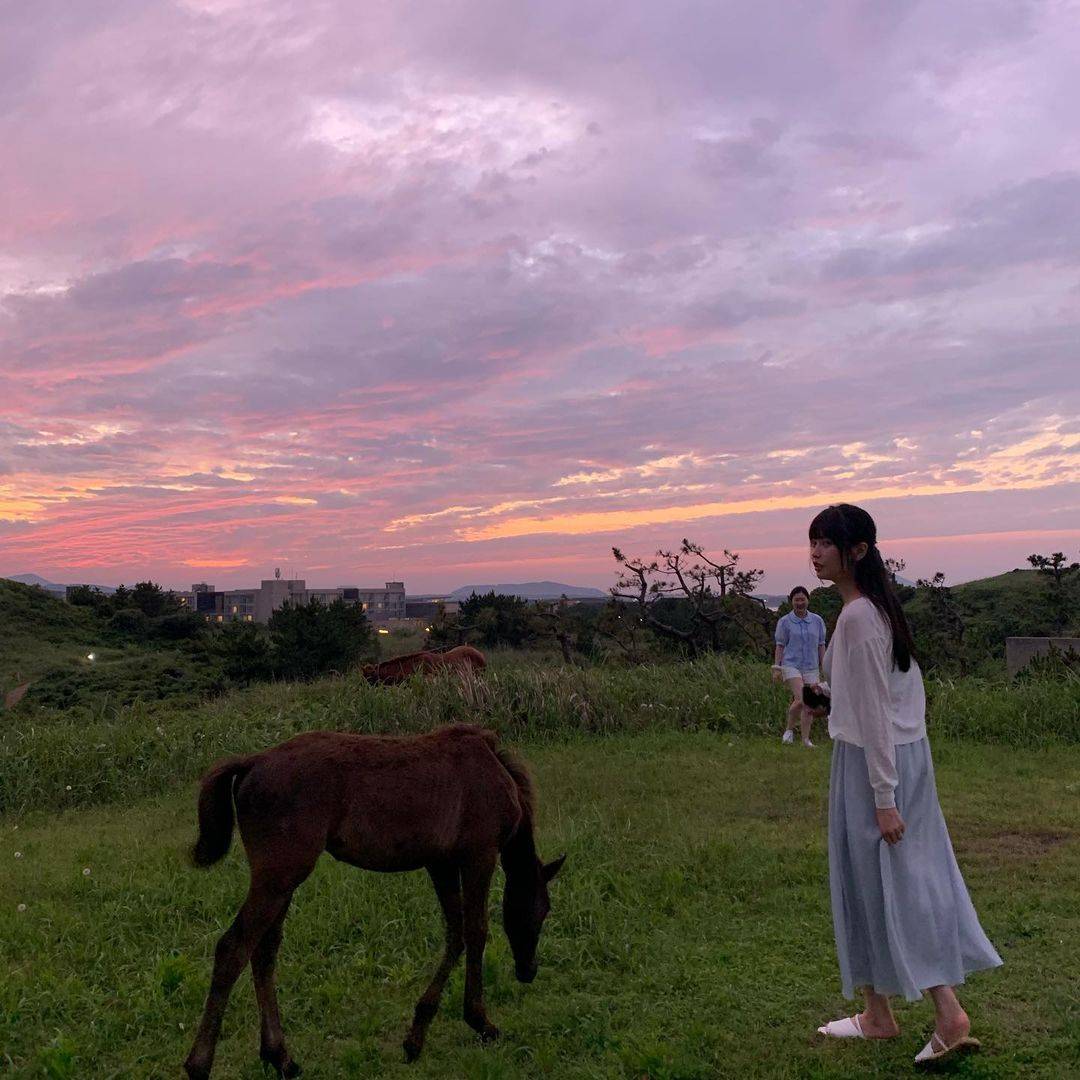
(691, 936)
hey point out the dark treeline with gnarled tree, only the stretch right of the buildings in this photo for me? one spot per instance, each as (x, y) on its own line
(686, 603)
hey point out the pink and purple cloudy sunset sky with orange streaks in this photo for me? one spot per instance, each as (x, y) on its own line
(469, 291)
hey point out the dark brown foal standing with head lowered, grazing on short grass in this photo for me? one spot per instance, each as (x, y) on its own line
(451, 802)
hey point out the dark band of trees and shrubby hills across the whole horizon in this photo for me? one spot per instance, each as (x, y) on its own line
(142, 644)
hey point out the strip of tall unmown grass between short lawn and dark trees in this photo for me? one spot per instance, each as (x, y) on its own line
(58, 760)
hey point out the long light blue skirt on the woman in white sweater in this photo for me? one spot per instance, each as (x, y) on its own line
(902, 914)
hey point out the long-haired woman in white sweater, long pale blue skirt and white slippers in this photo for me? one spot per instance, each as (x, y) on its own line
(903, 920)
